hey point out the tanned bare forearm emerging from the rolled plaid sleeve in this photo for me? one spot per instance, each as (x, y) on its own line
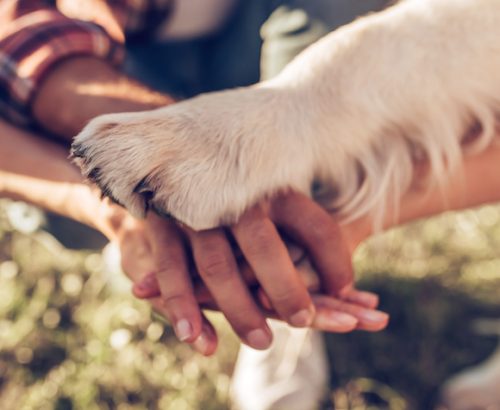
(82, 88)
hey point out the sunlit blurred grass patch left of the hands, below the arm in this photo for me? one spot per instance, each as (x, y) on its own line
(68, 341)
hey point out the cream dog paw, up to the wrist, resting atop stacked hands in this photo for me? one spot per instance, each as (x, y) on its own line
(202, 161)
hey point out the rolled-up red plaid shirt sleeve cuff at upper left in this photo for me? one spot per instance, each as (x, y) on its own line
(36, 42)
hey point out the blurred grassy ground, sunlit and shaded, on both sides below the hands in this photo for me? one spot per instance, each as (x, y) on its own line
(72, 337)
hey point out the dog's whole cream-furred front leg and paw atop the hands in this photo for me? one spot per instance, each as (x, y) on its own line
(353, 112)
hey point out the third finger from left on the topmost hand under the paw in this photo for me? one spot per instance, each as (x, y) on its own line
(268, 257)
